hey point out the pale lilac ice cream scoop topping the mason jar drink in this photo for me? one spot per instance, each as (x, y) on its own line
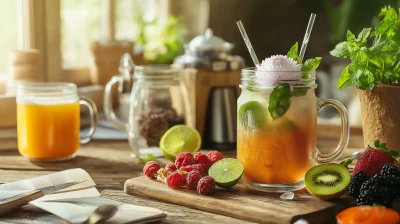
(278, 69)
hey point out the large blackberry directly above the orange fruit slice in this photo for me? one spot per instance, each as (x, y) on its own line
(376, 194)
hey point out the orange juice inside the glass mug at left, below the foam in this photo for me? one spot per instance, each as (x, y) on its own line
(48, 131)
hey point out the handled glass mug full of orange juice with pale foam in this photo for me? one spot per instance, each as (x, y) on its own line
(48, 120)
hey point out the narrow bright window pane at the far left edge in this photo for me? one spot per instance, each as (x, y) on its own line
(8, 31)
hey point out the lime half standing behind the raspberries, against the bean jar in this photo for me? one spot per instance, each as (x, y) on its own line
(179, 138)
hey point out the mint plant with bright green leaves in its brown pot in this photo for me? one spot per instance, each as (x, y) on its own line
(375, 71)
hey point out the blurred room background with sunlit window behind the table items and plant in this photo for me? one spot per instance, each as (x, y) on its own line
(82, 41)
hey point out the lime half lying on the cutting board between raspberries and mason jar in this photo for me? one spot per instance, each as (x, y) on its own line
(226, 172)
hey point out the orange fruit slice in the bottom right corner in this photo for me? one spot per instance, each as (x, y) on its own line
(368, 215)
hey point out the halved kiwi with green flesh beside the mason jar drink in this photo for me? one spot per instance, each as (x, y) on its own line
(327, 181)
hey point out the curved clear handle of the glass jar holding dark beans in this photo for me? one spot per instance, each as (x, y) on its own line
(108, 110)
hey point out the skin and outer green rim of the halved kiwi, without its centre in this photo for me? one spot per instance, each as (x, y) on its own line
(336, 195)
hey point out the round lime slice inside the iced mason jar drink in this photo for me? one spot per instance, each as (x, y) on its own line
(252, 115)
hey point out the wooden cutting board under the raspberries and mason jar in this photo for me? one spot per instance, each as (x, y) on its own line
(244, 203)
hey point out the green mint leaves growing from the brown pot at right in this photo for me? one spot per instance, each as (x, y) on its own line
(374, 55)
